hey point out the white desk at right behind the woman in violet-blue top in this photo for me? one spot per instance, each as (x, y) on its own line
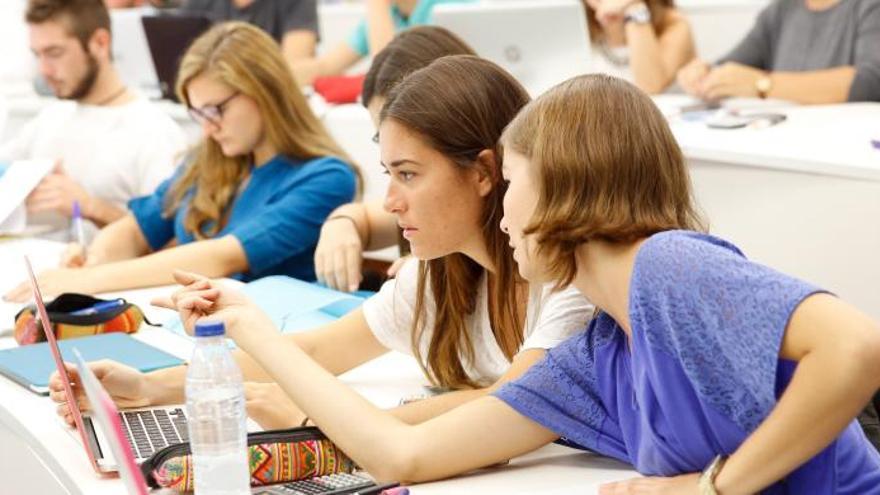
(802, 196)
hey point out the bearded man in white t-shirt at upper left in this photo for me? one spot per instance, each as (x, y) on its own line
(109, 144)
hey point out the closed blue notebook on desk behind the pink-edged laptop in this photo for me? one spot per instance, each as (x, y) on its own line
(31, 365)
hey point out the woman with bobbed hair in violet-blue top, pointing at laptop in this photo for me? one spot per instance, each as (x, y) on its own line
(698, 359)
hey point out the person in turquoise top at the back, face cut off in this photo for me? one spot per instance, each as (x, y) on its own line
(384, 18)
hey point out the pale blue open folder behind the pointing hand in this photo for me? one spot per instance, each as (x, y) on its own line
(294, 305)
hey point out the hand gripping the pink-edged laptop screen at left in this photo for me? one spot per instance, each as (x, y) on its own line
(127, 387)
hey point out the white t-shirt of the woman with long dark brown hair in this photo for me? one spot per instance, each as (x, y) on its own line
(551, 317)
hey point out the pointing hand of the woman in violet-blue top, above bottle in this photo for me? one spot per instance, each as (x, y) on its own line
(202, 297)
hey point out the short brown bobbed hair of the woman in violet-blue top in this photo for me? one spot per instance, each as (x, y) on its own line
(617, 179)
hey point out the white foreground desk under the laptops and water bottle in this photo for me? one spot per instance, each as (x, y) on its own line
(39, 455)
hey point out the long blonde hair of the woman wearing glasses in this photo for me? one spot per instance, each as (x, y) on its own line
(249, 61)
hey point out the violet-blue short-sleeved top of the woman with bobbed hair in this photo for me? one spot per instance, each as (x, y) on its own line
(701, 373)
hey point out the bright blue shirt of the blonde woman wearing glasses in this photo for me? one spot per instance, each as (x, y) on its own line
(277, 217)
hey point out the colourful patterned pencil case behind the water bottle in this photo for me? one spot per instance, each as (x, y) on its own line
(277, 456)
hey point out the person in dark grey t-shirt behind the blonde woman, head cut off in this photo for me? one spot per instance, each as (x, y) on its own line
(293, 23)
